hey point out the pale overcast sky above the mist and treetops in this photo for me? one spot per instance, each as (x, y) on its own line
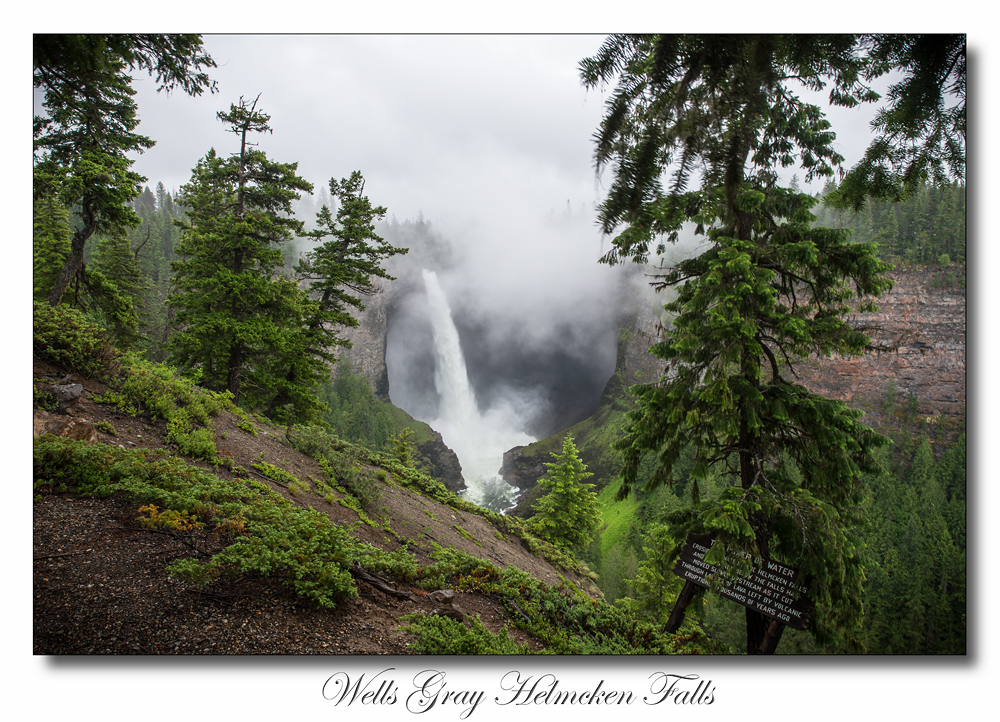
(467, 126)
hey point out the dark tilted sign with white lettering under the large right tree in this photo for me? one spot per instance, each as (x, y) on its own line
(771, 588)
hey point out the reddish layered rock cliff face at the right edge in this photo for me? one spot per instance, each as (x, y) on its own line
(928, 321)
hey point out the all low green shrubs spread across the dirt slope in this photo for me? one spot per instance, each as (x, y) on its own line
(249, 529)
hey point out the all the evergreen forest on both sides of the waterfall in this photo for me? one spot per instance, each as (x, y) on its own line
(221, 282)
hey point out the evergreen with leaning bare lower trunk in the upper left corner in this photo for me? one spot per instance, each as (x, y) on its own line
(82, 143)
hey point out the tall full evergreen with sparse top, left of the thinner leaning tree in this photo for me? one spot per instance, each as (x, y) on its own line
(232, 317)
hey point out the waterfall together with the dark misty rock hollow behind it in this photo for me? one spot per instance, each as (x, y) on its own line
(497, 394)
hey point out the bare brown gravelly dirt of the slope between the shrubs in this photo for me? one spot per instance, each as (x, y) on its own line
(100, 585)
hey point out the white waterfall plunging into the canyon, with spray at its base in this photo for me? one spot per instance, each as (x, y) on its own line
(478, 439)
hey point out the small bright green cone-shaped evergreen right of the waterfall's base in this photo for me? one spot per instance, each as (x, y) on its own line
(568, 515)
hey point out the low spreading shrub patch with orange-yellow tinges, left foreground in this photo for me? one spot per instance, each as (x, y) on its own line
(272, 537)
